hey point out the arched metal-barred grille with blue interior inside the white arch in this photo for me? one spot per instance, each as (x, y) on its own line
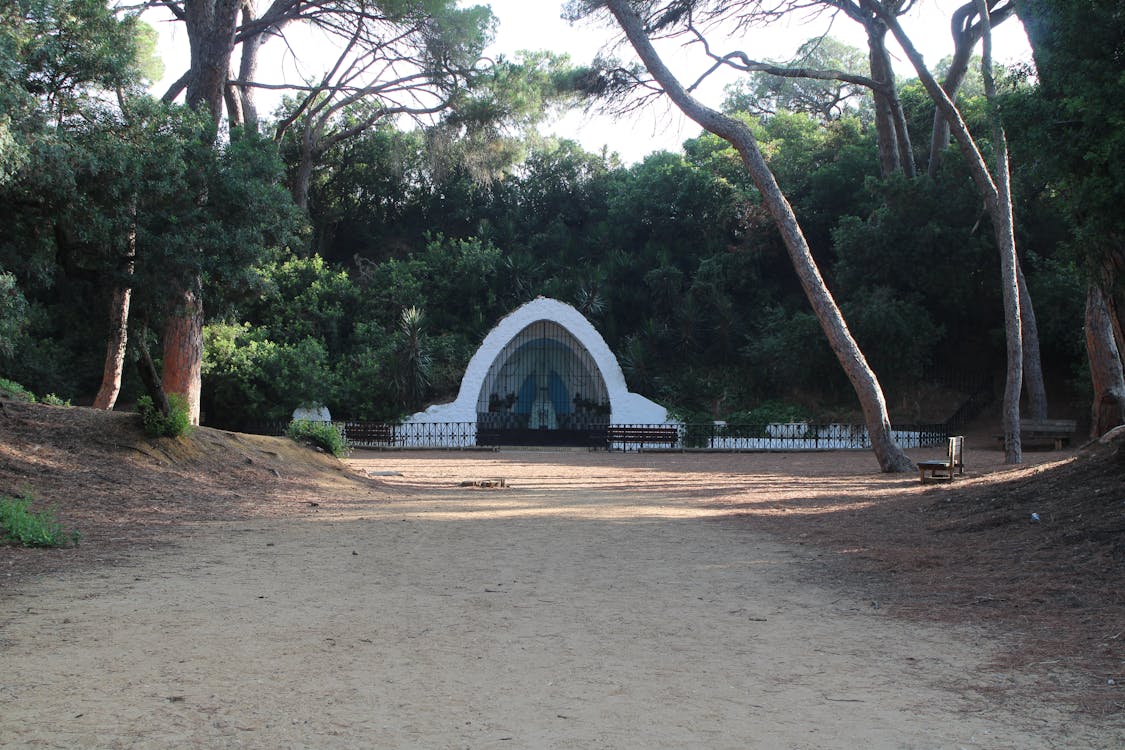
(544, 388)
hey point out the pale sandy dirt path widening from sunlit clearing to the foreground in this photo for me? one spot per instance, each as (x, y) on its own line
(593, 603)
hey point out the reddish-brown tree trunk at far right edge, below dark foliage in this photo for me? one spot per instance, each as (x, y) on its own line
(1106, 373)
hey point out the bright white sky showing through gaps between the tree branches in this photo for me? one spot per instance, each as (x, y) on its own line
(538, 25)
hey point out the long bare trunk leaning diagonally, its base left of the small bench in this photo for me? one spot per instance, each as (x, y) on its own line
(863, 379)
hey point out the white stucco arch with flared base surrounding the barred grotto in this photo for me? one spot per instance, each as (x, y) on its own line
(625, 408)
